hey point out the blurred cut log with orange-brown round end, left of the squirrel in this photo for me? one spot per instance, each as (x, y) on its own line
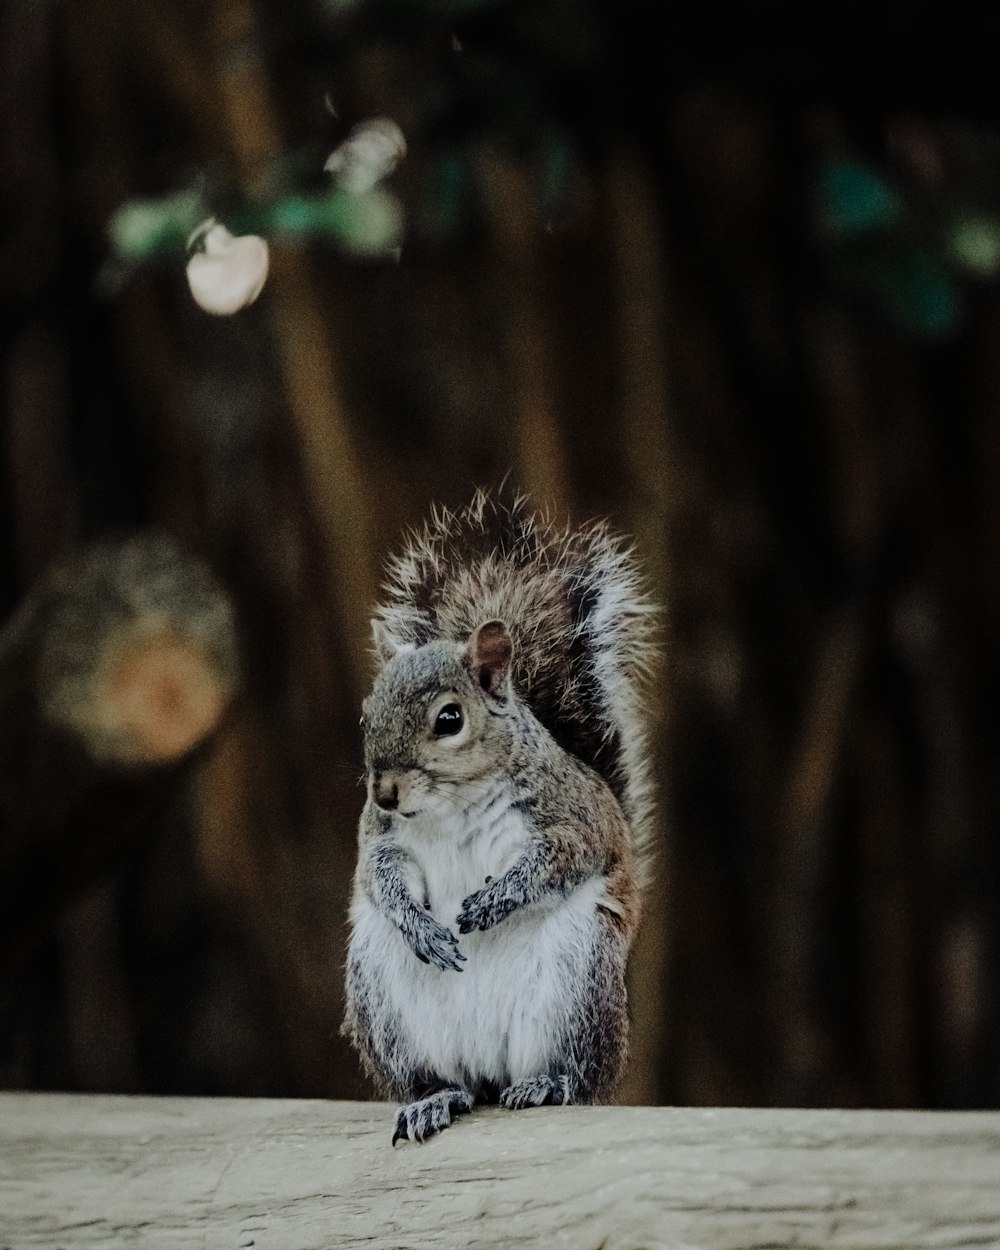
(116, 672)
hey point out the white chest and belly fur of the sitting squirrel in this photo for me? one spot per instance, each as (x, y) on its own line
(507, 1016)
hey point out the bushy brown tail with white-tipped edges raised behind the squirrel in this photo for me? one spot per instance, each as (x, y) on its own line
(582, 623)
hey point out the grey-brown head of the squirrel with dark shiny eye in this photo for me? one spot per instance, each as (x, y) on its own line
(438, 719)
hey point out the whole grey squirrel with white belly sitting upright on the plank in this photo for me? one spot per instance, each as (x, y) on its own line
(507, 834)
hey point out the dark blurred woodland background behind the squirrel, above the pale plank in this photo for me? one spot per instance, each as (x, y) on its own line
(729, 283)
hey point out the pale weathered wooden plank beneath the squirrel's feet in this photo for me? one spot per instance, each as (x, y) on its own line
(82, 1172)
